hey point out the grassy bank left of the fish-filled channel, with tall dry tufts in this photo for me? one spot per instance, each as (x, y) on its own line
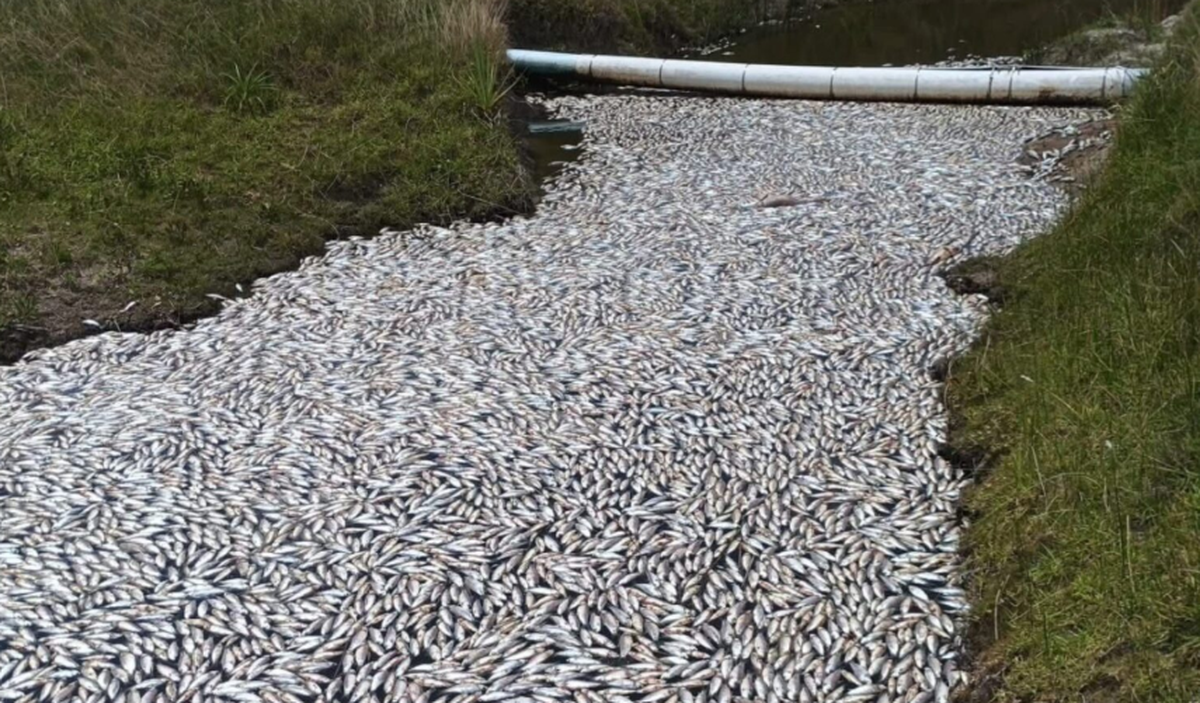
(163, 151)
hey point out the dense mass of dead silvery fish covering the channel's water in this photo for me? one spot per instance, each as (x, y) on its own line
(674, 438)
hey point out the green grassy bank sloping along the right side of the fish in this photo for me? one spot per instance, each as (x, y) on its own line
(1085, 544)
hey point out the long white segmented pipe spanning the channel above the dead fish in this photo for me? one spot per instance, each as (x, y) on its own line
(1019, 85)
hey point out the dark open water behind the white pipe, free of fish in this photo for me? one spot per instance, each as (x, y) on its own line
(926, 32)
